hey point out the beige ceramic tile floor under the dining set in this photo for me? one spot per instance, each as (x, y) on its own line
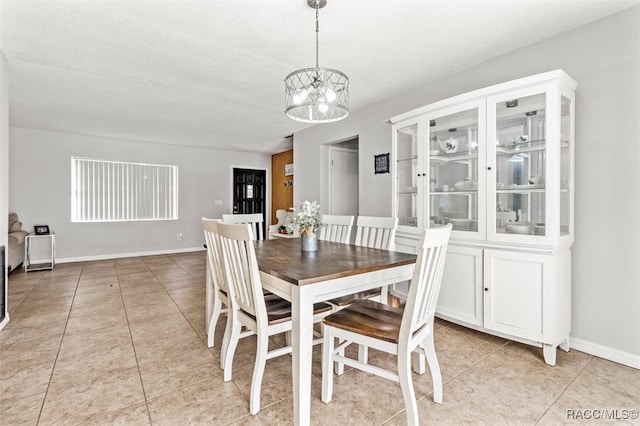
(123, 342)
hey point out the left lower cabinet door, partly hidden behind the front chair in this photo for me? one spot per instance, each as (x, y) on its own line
(461, 292)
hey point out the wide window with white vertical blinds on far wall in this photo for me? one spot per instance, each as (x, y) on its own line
(116, 191)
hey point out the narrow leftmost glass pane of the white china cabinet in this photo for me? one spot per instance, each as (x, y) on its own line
(406, 141)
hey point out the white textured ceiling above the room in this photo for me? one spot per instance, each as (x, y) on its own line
(210, 73)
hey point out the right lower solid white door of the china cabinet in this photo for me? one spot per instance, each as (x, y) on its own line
(514, 286)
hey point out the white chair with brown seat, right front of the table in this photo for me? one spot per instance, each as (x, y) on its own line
(399, 332)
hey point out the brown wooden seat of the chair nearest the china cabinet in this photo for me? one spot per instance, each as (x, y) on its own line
(368, 318)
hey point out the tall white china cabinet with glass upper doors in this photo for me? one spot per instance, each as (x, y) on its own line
(497, 163)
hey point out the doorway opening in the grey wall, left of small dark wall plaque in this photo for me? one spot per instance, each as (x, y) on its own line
(343, 177)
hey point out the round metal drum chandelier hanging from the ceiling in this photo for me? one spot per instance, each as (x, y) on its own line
(316, 95)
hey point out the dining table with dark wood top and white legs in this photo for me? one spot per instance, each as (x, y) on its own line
(305, 278)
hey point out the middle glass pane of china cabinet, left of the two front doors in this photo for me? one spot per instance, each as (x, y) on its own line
(454, 181)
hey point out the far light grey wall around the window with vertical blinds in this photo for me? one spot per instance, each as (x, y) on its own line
(40, 191)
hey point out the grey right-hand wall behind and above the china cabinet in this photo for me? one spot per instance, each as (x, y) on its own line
(603, 57)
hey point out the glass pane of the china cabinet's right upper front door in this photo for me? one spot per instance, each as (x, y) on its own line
(520, 165)
